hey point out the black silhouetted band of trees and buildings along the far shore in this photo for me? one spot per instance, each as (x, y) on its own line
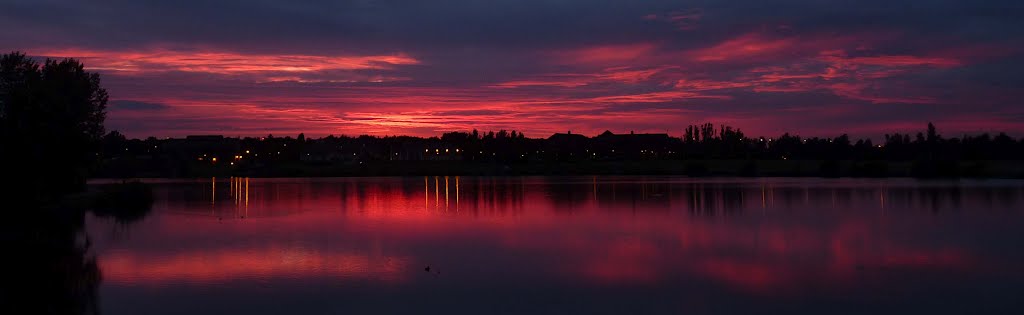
(703, 150)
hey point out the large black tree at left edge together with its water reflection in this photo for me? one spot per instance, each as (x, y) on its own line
(52, 123)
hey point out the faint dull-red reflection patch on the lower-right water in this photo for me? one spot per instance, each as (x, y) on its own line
(767, 257)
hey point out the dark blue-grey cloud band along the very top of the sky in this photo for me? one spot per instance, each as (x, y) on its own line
(453, 26)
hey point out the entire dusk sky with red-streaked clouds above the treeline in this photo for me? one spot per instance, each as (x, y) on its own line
(815, 68)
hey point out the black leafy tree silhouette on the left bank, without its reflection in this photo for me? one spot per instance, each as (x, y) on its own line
(52, 123)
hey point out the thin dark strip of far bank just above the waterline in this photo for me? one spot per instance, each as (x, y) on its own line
(694, 168)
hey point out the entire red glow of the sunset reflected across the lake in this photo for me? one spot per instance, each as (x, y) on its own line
(600, 241)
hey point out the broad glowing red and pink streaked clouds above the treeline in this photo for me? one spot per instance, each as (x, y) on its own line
(252, 94)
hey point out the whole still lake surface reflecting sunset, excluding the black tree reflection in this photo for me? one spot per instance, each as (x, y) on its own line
(568, 246)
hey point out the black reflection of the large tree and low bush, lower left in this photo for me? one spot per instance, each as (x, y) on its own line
(50, 264)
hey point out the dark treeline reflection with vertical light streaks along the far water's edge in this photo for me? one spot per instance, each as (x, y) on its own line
(444, 194)
